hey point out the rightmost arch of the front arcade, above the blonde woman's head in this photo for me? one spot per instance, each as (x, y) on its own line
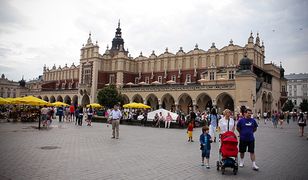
(224, 101)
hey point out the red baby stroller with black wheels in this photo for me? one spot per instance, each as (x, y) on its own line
(228, 152)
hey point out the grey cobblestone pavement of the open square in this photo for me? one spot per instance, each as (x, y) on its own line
(66, 151)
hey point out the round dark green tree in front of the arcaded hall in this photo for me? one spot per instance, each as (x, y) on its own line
(109, 96)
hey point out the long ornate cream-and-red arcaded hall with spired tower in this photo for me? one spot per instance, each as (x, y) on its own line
(198, 79)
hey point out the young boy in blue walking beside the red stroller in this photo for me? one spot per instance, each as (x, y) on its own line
(205, 143)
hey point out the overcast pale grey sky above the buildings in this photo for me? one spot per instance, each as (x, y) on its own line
(38, 32)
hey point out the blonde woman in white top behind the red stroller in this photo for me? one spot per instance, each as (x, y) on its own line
(226, 123)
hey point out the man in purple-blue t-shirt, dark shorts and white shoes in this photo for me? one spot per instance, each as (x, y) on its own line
(246, 127)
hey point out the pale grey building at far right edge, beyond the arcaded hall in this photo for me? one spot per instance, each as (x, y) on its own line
(297, 86)
